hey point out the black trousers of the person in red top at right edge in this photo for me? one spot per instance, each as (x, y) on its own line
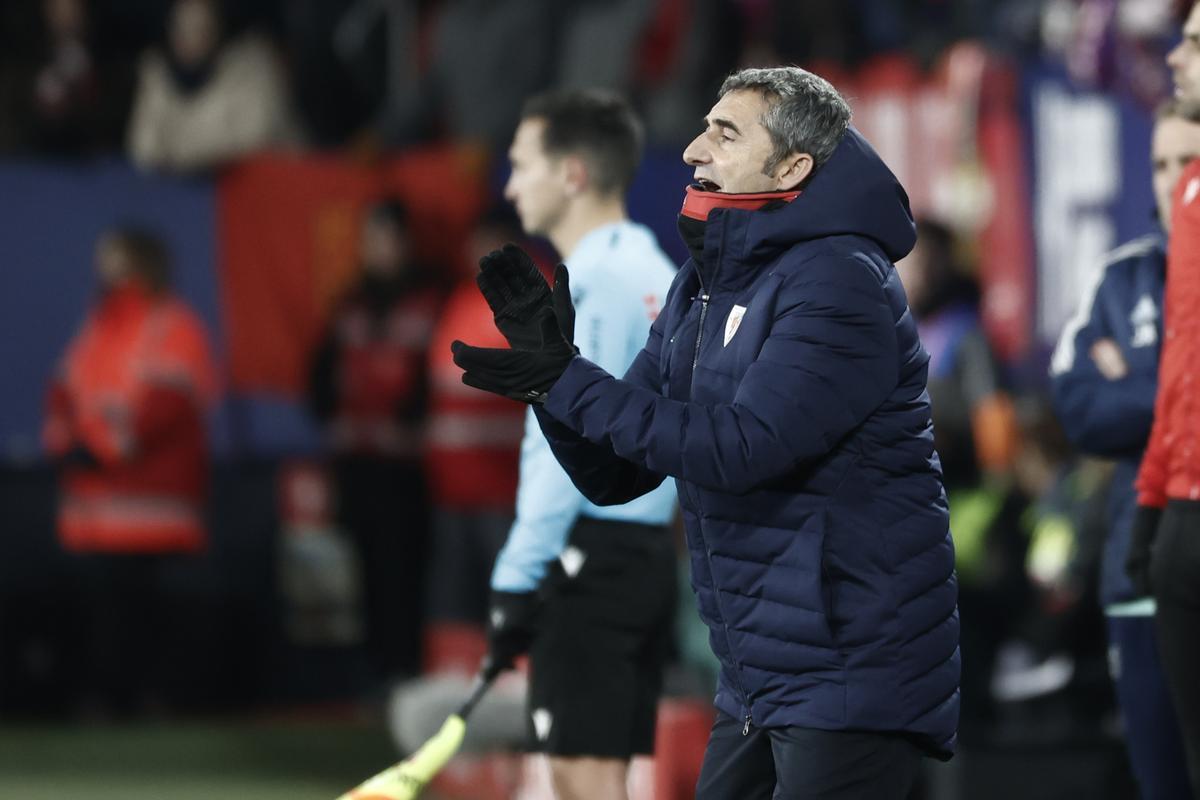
(1175, 575)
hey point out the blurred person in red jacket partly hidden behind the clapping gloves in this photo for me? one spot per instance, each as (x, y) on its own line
(472, 450)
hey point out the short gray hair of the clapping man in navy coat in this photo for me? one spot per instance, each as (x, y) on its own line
(807, 115)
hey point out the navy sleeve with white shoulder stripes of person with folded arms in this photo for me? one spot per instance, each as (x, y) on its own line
(1101, 417)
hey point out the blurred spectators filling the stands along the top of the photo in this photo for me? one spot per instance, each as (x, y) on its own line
(191, 85)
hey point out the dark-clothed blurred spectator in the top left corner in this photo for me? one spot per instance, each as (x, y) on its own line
(69, 97)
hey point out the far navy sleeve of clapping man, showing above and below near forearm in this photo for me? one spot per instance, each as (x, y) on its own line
(602, 476)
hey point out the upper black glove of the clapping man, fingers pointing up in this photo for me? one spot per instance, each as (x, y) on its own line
(515, 292)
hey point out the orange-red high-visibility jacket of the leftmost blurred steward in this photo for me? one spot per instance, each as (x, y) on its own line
(128, 414)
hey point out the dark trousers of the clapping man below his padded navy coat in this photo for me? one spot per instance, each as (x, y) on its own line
(806, 765)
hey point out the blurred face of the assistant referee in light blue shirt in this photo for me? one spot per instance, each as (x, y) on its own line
(538, 187)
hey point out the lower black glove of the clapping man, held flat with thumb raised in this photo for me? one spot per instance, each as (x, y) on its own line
(527, 374)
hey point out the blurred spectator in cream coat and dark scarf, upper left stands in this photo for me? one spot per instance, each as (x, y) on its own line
(205, 101)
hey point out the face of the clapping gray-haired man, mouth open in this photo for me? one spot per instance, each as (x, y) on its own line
(731, 153)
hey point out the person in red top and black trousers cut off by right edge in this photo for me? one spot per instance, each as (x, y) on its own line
(1165, 545)
